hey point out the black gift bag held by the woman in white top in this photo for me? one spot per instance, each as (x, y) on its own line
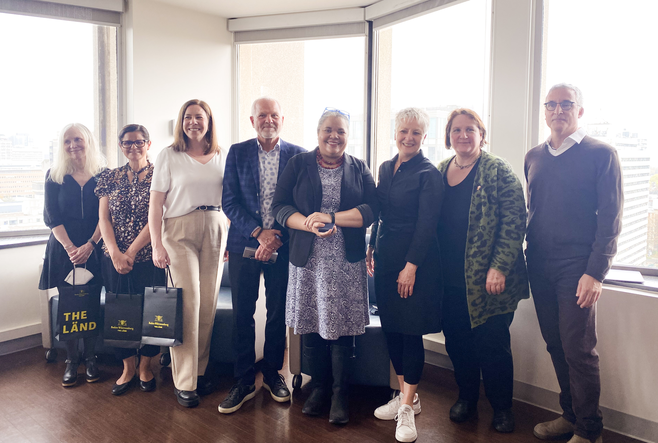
(163, 314)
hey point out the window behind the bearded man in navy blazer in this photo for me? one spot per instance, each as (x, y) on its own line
(305, 77)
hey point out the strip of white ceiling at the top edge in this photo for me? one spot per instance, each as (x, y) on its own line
(250, 8)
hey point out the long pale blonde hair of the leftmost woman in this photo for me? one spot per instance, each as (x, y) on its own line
(94, 159)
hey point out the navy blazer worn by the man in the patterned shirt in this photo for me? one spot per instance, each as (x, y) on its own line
(241, 193)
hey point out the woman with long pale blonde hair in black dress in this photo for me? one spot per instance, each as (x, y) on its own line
(71, 212)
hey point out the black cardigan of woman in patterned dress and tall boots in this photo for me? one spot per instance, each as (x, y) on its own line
(299, 189)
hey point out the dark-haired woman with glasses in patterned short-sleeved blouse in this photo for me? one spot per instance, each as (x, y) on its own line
(124, 201)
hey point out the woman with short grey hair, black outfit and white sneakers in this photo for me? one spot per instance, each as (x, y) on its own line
(406, 262)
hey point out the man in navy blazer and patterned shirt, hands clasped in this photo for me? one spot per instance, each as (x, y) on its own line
(252, 170)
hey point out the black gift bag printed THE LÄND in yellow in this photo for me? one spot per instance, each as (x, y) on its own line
(78, 311)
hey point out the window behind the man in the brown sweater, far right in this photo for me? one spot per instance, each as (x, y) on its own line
(606, 49)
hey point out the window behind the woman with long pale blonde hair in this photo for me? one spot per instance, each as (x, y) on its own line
(54, 72)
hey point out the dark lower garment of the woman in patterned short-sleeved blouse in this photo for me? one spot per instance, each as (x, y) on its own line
(143, 274)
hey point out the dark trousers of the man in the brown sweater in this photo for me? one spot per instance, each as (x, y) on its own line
(570, 335)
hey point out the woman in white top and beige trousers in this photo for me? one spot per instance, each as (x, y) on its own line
(188, 233)
